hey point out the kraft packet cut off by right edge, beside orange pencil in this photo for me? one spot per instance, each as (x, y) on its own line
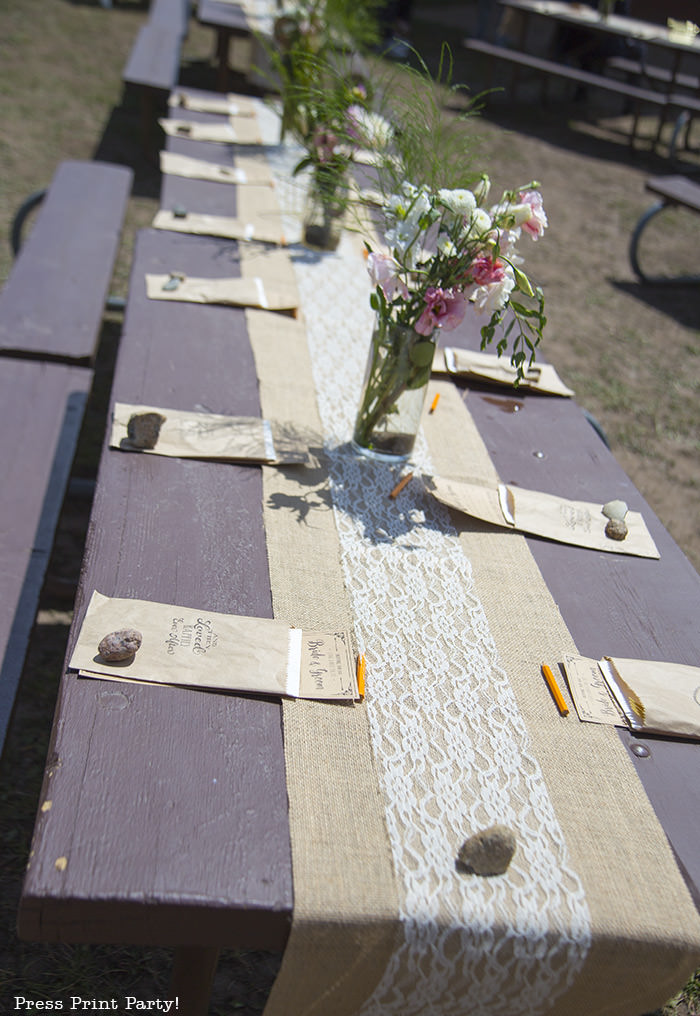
(648, 696)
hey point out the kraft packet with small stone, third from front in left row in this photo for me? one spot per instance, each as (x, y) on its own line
(253, 292)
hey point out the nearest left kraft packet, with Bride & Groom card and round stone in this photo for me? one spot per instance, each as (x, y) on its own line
(217, 652)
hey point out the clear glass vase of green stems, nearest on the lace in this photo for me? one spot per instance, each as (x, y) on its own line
(394, 393)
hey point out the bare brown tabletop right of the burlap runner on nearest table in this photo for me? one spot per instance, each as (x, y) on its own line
(613, 605)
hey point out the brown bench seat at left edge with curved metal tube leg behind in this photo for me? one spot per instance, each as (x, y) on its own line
(52, 304)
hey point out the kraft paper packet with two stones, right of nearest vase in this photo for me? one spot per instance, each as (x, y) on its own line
(579, 523)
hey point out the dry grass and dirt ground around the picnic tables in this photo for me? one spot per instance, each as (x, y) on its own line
(631, 352)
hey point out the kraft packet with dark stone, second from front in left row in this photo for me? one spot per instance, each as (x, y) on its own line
(211, 436)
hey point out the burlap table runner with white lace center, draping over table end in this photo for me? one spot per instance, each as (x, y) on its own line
(458, 731)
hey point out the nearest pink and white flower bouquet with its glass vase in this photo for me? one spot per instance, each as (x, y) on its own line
(447, 250)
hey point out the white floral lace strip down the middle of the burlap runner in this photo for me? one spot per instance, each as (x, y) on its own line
(453, 751)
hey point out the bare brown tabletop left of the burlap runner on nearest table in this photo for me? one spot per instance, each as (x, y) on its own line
(206, 858)
